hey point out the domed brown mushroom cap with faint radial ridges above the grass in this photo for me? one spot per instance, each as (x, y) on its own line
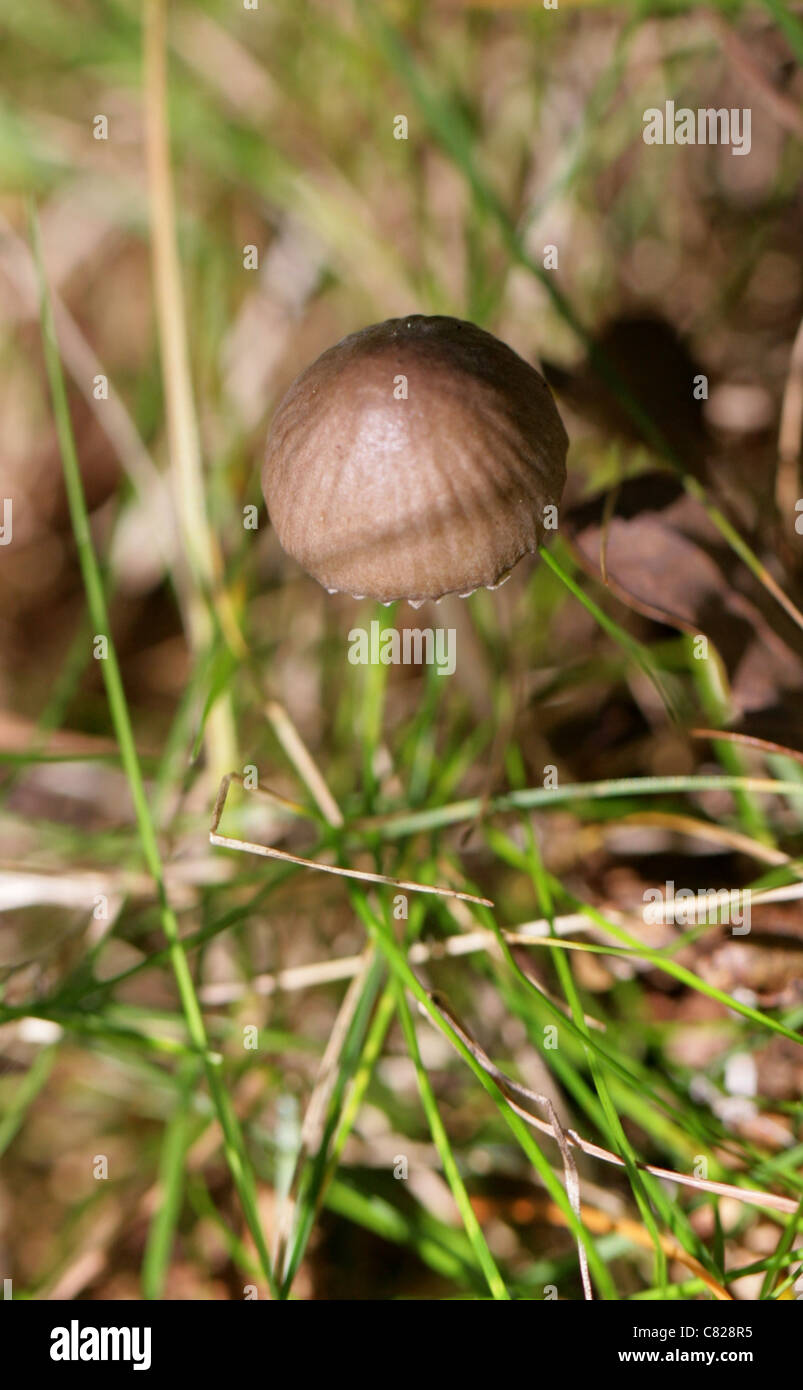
(444, 491)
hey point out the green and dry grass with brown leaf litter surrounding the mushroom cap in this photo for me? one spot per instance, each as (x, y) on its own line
(134, 956)
